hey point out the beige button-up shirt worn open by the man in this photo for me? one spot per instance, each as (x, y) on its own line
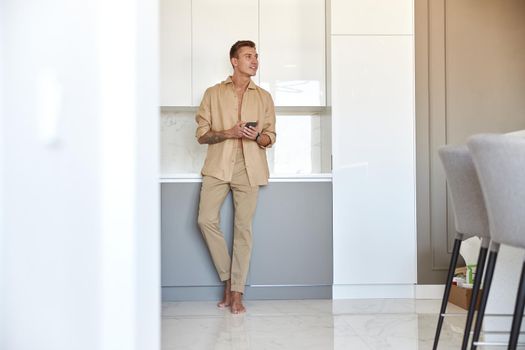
(218, 112)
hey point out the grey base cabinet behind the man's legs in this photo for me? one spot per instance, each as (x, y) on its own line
(292, 250)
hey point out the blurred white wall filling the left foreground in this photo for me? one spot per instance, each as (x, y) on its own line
(79, 228)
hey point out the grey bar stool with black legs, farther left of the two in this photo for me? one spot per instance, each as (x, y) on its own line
(470, 220)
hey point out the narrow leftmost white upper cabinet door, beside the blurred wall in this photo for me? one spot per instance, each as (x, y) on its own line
(175, 53)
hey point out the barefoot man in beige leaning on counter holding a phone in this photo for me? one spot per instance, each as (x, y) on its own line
(236, 161)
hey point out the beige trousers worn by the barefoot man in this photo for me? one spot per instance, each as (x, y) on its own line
(213, 194)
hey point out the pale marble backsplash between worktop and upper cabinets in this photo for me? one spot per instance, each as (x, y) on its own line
(303, 144)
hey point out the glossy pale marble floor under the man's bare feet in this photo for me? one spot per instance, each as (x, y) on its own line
(403, 324)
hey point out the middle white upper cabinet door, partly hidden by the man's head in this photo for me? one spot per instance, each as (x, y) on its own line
(217, 25)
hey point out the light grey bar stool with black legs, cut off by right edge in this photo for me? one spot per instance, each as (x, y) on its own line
(500, 163)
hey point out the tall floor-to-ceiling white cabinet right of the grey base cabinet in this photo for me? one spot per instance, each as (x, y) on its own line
(373, 148)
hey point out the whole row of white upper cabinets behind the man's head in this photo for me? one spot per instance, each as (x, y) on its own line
(196, 36)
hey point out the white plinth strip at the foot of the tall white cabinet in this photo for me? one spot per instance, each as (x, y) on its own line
(374, 291)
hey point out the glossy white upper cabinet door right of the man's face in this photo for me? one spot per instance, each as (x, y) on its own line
(292, 51)
